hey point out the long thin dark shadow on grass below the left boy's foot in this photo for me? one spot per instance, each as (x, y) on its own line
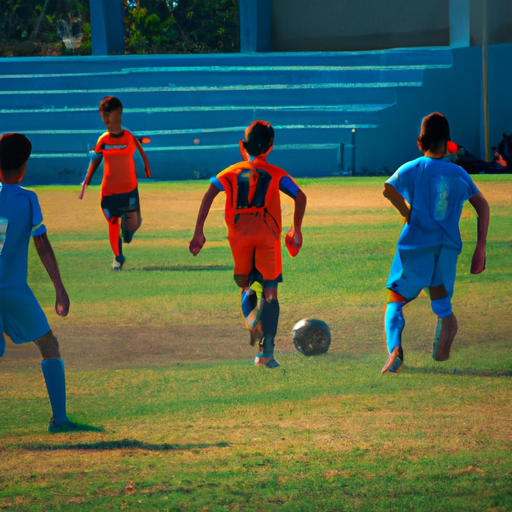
(122, 444)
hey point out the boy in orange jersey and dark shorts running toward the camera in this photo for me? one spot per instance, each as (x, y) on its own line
(119, 191)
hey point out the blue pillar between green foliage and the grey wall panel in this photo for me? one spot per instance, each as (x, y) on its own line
(255, 25)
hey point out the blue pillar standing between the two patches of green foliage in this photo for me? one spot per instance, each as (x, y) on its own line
(107, 29)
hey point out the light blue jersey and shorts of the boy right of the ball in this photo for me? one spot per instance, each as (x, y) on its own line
(430, 242)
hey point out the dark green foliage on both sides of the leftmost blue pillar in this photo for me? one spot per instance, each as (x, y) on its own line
(31, 27)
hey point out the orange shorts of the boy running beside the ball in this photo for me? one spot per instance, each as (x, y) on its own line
(255, 243)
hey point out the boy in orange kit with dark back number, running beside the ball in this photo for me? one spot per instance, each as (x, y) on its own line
(253, 218)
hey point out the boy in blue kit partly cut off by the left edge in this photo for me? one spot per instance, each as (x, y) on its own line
(21, 316)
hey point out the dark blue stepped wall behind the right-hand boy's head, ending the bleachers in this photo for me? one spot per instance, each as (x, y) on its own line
(455, 92)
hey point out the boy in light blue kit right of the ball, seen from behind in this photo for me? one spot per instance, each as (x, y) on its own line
(429, 193)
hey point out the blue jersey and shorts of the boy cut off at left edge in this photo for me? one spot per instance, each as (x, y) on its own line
(21, 317)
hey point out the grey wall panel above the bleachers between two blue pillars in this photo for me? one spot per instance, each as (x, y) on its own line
(342, 25)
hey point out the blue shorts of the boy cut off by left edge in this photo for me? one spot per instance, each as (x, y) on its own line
(21, 316)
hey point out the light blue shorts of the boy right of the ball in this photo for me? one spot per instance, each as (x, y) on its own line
(413, 270)
